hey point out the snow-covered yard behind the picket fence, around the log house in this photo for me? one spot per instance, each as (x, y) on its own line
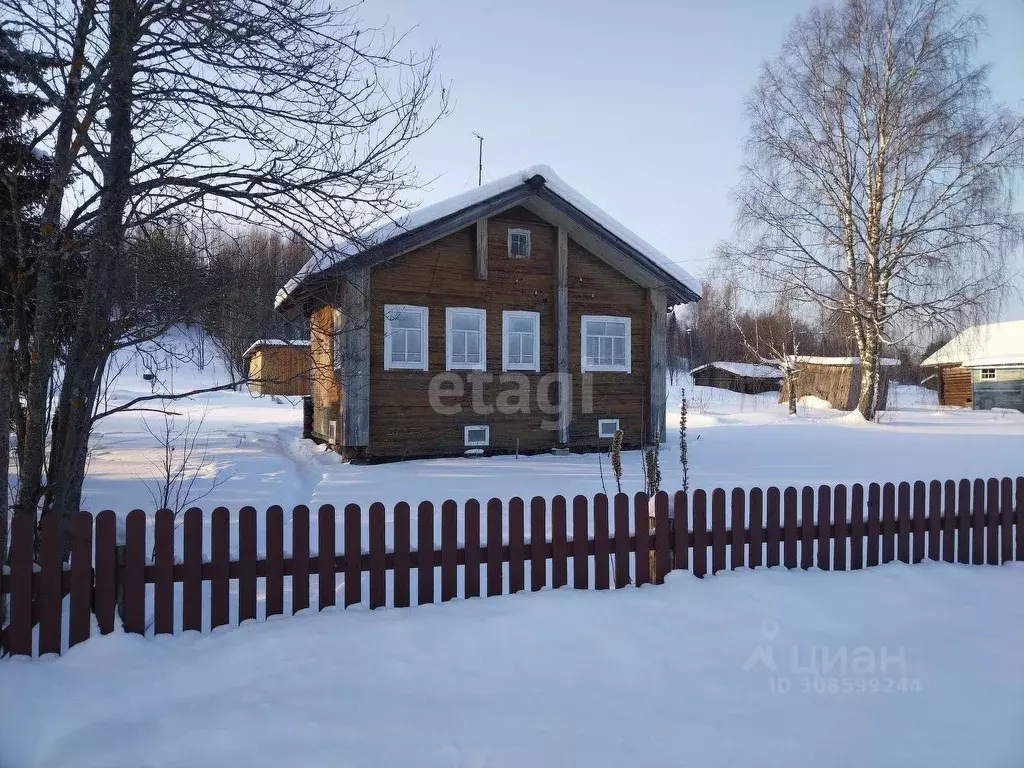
(255, 451)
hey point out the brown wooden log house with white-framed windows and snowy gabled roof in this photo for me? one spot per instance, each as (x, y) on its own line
(520, 282)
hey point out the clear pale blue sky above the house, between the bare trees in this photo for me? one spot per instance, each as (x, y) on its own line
(637, 105)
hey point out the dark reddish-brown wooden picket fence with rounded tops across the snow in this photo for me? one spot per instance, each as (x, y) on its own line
(828, 528)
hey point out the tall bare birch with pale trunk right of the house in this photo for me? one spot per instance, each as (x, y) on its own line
(879, 174)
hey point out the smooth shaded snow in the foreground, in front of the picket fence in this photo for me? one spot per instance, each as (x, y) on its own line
(898, 666)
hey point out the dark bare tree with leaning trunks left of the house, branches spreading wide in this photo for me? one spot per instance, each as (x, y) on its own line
(197, 114)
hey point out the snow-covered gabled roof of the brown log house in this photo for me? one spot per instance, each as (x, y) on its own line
(425, 216)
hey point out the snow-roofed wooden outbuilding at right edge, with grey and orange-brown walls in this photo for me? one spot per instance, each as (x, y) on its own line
(999, 344)
